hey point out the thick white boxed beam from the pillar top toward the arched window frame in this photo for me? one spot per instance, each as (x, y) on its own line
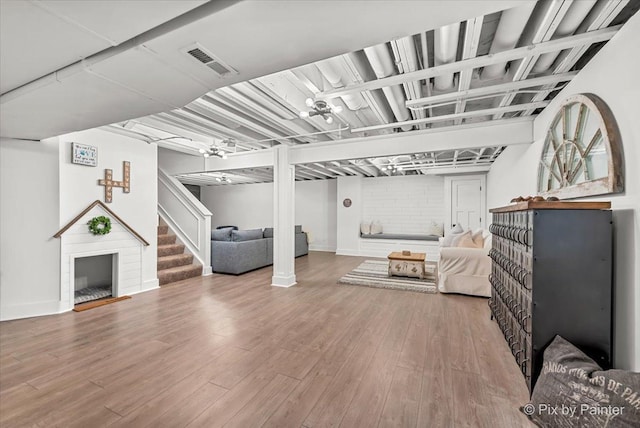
(468, 136)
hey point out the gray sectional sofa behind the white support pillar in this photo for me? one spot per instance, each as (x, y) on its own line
(239, 251)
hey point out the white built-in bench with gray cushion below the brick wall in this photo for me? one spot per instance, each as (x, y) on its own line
(382, 244)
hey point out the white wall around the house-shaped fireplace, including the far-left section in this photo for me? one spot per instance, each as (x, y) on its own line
(41, 191)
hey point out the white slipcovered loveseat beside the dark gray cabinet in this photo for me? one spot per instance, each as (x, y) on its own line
(465, 270)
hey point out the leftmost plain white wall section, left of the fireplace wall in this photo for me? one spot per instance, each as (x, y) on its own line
(29, 217)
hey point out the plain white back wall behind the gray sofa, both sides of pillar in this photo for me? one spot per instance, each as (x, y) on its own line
(250, 206)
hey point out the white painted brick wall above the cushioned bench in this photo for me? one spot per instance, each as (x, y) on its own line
(403, 204)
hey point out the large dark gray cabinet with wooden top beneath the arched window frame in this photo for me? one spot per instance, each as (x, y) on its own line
(552, 274)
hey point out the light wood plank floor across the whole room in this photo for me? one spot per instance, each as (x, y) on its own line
(233, 351)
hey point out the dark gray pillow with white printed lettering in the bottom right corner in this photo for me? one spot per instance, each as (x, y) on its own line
(573, 390)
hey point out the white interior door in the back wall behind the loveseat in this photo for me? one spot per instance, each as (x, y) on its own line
(467, 201)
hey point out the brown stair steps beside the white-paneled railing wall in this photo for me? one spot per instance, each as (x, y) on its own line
(174, 264)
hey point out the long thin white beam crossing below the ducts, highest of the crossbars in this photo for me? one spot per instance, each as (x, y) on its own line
(497, 58)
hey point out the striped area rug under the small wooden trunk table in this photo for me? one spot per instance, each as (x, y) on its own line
(373, 273)
